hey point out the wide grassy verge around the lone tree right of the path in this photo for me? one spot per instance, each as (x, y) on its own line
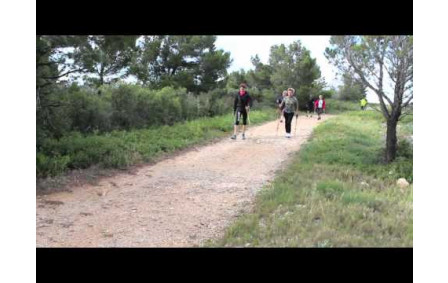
(336, 193)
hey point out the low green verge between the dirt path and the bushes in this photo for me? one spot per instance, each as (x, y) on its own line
(120, 149)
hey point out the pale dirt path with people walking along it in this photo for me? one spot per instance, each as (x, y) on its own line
(177, 202)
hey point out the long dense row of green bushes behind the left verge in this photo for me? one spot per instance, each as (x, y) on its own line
(124, 107)
